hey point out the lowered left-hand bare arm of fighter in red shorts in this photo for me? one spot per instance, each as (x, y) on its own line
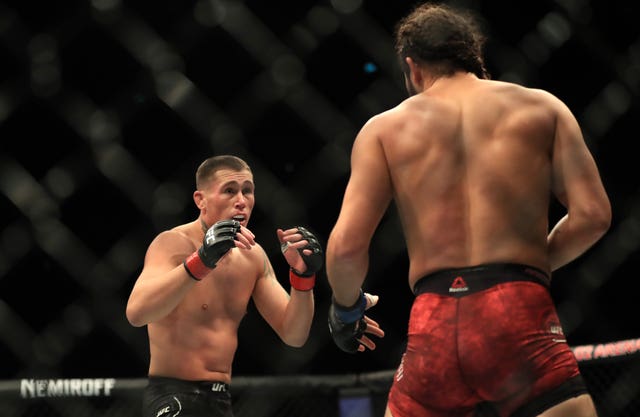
(366, 199)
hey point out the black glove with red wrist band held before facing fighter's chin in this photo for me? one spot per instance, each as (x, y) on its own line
(218, 240)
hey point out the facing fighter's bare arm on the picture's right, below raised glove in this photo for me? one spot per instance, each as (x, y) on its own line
(290, 315)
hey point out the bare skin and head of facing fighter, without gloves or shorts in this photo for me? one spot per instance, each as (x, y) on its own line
(193, 325)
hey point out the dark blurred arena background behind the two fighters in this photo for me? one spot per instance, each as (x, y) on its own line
(108, 106)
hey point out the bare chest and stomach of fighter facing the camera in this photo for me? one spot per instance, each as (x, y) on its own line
(202, 329)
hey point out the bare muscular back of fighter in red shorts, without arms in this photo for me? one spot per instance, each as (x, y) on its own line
(470, 165)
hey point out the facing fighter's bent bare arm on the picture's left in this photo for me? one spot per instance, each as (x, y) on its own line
(163, 281)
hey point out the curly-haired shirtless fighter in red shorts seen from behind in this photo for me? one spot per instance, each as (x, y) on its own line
(472, 165)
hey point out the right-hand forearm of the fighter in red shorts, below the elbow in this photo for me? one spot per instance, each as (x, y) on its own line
(571, 237)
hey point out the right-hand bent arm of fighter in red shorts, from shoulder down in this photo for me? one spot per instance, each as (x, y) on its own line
(577, 185)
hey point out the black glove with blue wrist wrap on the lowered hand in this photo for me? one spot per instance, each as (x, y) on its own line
(347, 324)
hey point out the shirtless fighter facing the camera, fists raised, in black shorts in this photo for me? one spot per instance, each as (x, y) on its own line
(194, 289)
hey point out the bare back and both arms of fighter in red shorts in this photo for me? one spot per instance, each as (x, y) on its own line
(471, 165)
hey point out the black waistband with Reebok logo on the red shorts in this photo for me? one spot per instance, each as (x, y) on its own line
(458, 282)
